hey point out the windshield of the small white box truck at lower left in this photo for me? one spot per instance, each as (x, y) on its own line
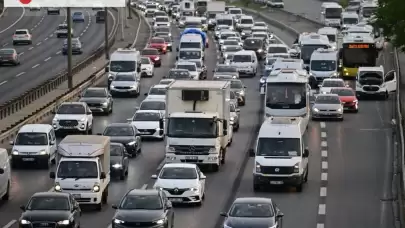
(77, 169)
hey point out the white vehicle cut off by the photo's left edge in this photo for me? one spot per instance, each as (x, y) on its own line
(5, 175)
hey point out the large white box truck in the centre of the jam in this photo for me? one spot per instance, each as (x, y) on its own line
(198, 128)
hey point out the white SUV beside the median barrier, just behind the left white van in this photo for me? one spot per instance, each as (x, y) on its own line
(73, 116)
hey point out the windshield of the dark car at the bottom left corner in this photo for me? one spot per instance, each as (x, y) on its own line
(48, 203)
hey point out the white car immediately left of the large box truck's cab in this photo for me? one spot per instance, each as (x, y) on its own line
(149, 123)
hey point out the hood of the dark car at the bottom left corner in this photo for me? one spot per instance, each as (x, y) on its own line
(46, 215)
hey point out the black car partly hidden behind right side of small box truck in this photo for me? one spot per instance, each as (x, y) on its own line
(118, 160)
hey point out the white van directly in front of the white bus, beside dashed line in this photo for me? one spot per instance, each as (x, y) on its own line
(281, 153)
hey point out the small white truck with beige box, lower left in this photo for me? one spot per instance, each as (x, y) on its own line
(83, 168)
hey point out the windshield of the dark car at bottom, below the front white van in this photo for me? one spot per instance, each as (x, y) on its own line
(251, 210)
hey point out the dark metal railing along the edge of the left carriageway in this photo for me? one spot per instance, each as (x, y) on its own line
(17, 103)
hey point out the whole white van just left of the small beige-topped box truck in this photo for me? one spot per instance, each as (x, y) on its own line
(34, 143)
